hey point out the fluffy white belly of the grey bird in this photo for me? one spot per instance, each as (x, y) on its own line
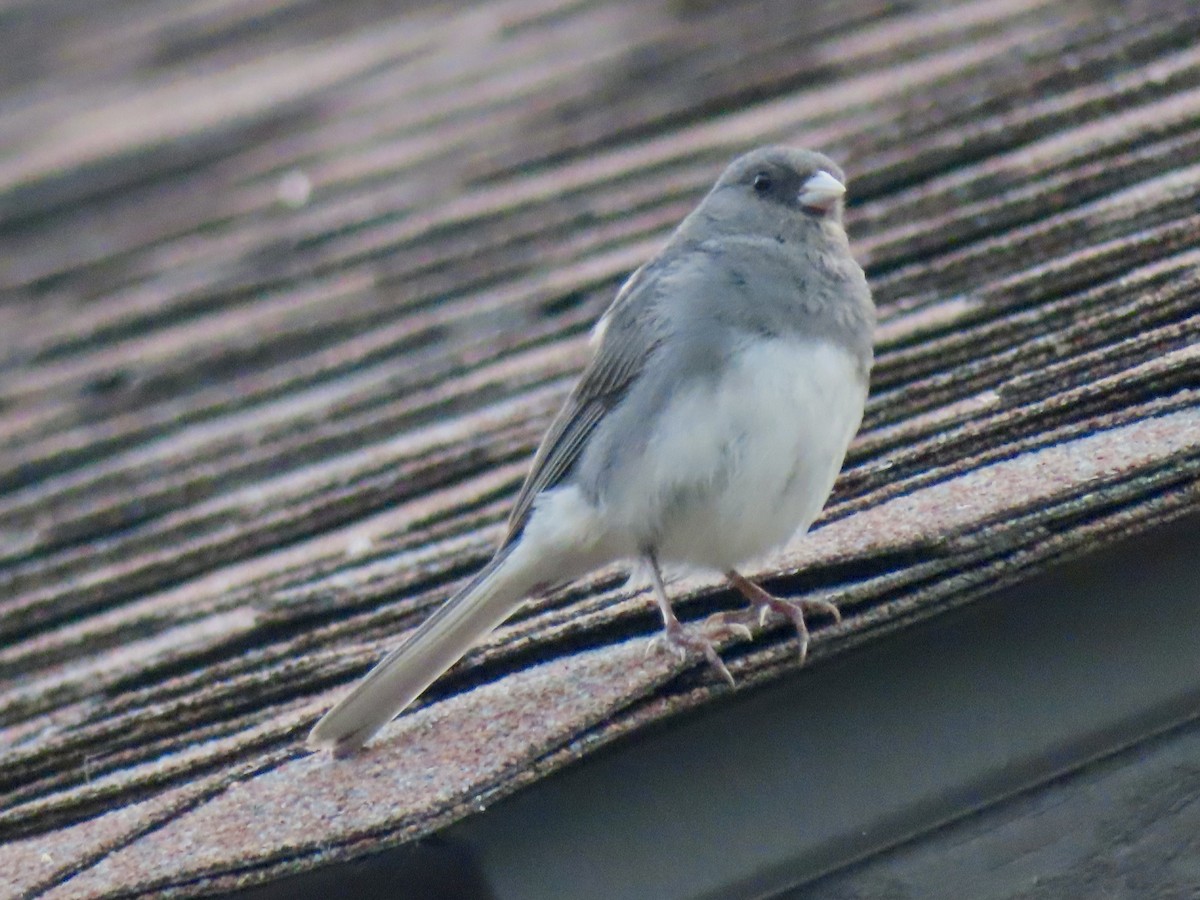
(731, 476)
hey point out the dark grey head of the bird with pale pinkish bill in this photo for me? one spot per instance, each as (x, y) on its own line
(778, 190)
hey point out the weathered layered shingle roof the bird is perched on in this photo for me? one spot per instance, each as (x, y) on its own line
(291, 291)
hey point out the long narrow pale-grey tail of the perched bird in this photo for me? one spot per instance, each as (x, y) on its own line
(437, 645)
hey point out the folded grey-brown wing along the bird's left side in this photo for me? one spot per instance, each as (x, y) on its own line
(627, 338)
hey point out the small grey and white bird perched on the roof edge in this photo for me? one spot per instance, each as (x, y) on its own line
(728, 379)
